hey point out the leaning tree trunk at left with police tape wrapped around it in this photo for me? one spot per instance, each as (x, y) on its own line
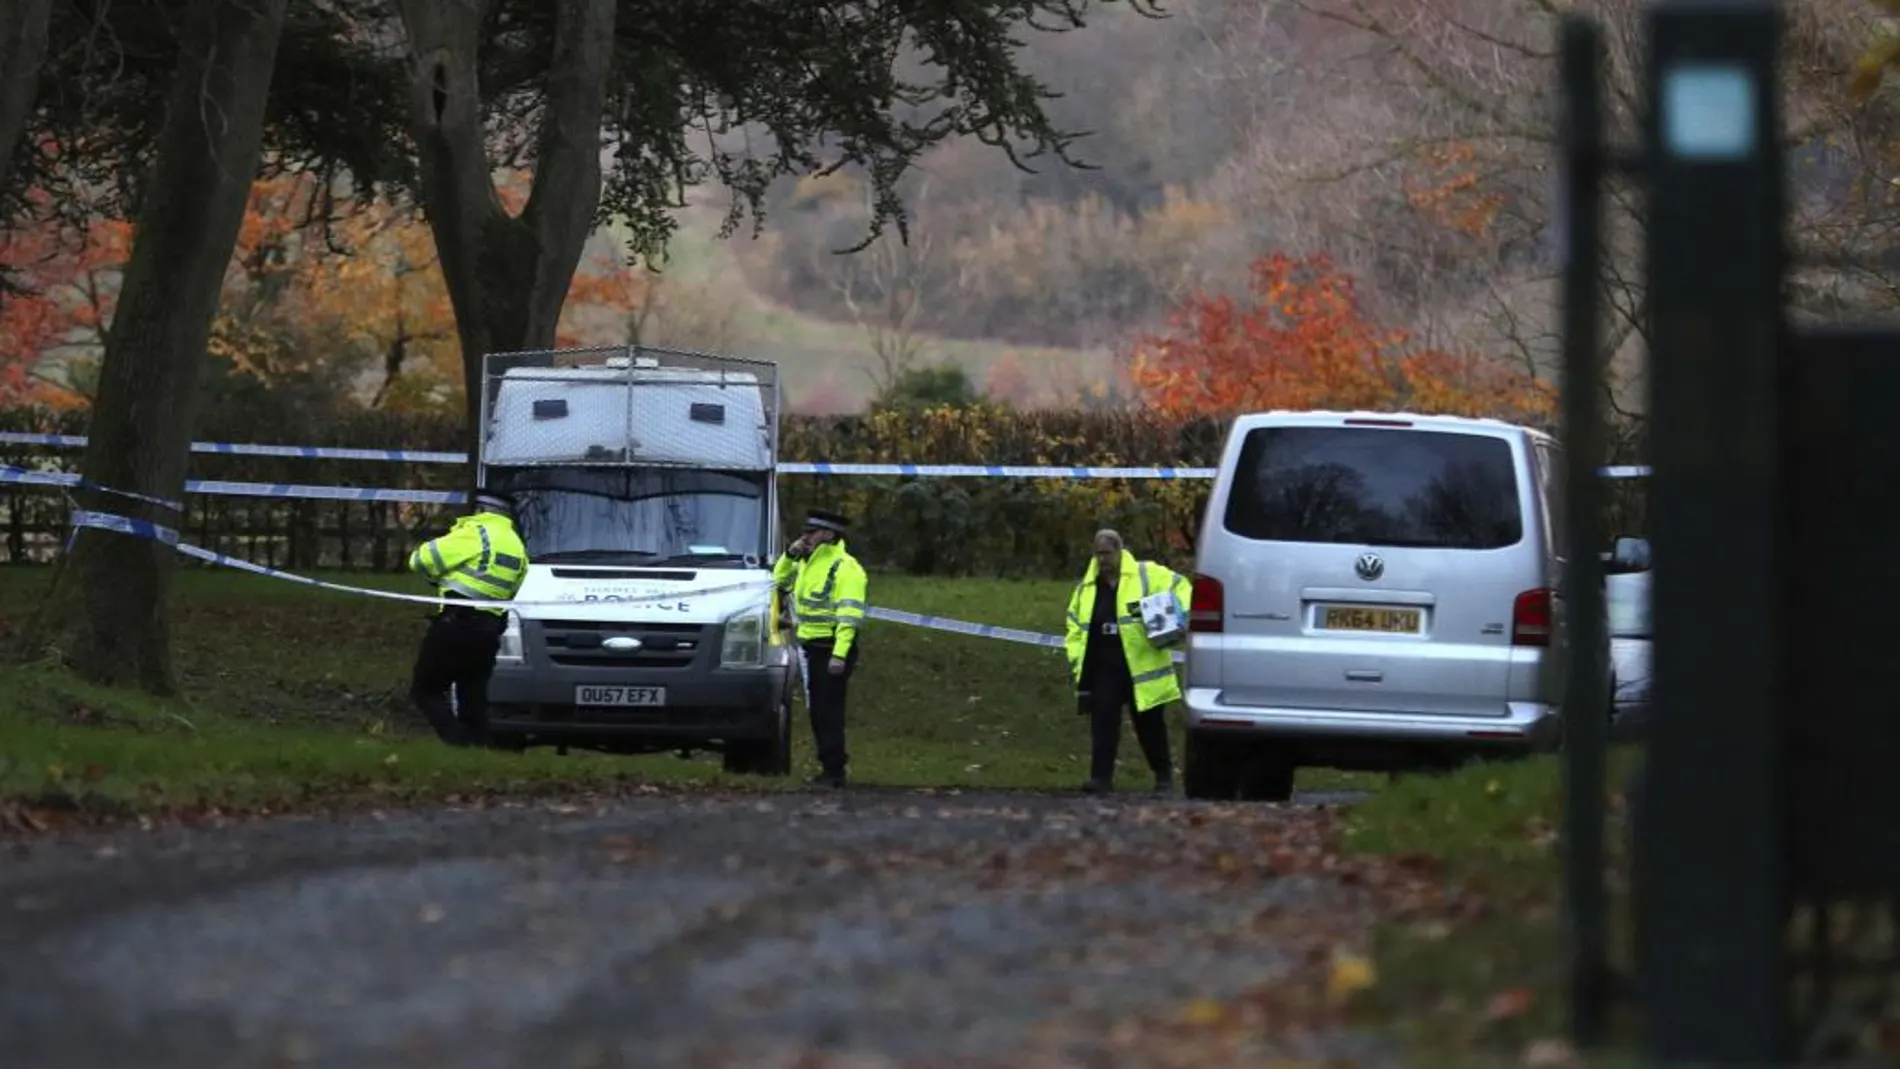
(109, 609)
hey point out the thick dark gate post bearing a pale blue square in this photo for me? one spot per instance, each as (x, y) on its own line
(1709, 850)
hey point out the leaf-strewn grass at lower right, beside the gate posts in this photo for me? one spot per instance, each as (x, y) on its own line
(1498, 941)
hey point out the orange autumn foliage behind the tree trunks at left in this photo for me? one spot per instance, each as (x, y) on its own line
(320, 290)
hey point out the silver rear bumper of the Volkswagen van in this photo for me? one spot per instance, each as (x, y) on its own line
(1529, 726)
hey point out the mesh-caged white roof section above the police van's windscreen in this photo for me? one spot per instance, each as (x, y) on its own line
(630, 405)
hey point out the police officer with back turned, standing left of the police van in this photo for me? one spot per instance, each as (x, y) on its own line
(482, 559)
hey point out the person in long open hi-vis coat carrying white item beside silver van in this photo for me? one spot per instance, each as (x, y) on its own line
(1114, 664)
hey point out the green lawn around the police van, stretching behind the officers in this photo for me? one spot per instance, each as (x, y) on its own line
(297, 696)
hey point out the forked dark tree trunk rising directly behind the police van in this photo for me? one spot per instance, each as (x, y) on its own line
(506, 276)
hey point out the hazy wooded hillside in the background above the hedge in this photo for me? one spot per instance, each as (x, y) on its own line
(1409, 141)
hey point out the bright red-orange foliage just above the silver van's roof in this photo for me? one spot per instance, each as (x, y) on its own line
(1302, 341)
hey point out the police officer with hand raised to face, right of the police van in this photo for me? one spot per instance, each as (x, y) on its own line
(827, 591)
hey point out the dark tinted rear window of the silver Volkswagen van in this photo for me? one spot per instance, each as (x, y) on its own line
(1377, 487)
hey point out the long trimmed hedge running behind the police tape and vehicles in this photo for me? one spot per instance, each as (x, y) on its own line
(951, 527)
